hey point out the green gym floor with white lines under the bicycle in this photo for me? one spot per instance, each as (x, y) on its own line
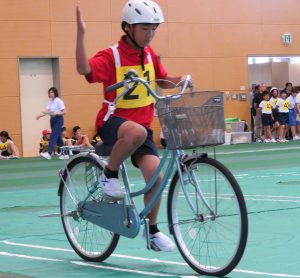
(30, 246)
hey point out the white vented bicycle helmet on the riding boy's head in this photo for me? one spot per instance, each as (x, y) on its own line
(142, 11)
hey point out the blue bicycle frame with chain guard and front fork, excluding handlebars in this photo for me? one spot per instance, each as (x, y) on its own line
(125, 213)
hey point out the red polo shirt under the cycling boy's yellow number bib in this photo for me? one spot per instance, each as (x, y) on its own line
(103, 70)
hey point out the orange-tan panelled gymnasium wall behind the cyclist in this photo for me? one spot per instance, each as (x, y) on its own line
(209, 39)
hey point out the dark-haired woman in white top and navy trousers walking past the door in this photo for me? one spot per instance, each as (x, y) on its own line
(56, 109)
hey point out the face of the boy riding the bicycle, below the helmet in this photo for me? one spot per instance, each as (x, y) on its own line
(142, 33)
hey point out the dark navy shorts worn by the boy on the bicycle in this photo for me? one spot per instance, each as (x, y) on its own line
(109, 135)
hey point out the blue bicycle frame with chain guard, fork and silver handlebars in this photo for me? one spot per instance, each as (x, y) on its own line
(92, 210)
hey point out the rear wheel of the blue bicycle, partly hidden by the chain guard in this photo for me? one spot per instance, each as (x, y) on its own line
(89, 241)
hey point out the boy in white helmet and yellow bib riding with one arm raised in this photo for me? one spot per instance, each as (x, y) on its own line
(128, 128)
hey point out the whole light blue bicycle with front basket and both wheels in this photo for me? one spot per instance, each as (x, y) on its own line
(206, 209)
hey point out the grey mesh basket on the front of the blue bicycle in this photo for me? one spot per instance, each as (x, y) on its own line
(196, 119)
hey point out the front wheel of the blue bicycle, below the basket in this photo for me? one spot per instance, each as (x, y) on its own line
(208, 217)
